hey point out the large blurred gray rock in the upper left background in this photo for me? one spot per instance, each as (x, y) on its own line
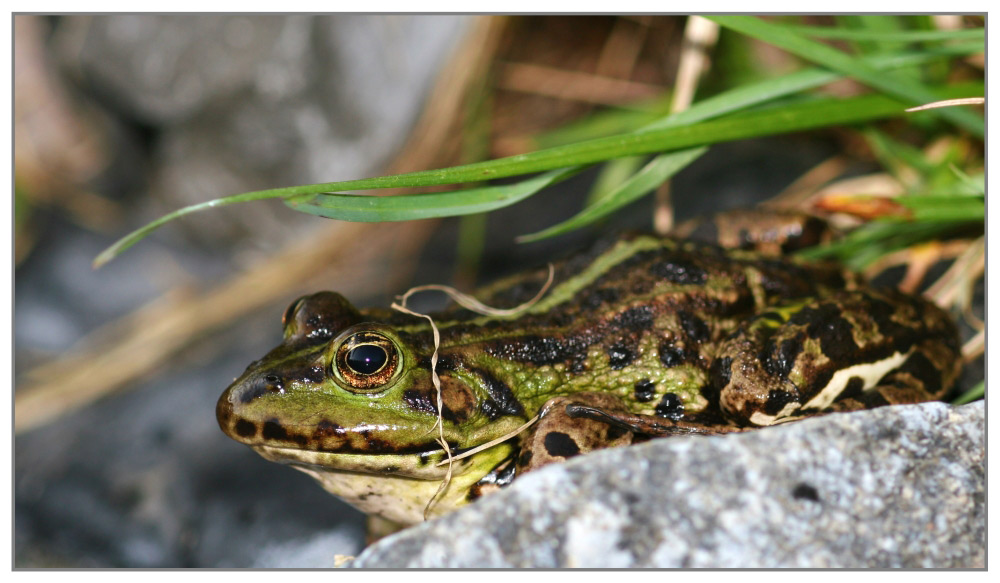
(245, 102)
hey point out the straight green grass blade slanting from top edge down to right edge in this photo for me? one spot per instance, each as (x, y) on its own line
(909, 91)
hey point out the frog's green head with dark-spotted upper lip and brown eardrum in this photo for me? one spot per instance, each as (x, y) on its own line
(347, 390)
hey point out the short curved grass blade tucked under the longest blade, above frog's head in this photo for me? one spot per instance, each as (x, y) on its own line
(365, 208)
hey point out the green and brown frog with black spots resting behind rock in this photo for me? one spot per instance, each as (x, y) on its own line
(639, 337)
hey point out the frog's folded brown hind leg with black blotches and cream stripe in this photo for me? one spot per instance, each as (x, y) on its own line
(852, 350)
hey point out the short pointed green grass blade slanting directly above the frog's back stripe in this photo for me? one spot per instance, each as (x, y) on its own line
(651, 176)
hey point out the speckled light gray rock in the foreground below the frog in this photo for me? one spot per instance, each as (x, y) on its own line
(892, 487)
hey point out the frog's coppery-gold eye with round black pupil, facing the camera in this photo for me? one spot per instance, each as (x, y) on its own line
(366, 360)
